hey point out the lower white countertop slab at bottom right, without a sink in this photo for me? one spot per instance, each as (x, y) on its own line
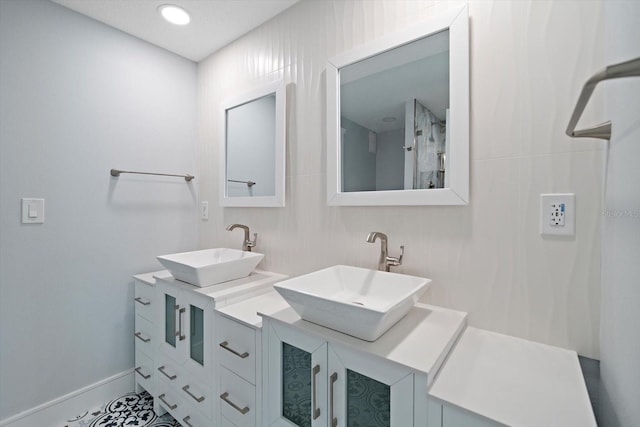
(514, 381)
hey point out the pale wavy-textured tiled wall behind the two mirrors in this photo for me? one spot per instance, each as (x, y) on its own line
(486, 258)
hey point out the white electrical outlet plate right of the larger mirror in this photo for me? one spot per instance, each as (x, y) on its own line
(558, 214)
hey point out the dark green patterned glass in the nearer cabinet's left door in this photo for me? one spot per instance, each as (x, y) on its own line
(296, 385)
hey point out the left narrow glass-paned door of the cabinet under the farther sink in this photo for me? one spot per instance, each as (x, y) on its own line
(171, 326)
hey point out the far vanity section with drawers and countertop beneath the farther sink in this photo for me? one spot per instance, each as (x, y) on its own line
(175, 335)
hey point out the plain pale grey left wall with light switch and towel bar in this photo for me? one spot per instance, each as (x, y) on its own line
(78, 98)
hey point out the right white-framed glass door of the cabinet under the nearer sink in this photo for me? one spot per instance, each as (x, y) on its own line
(368, 391)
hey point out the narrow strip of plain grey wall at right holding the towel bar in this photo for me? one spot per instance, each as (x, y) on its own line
(620, 340)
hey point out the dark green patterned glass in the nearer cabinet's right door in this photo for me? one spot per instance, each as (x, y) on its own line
(368, 402)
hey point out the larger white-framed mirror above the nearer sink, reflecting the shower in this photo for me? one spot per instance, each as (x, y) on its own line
(398, 117)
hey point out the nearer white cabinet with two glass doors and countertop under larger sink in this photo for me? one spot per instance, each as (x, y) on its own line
(318, 377)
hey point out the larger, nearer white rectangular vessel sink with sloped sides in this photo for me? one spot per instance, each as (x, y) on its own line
(356, 301)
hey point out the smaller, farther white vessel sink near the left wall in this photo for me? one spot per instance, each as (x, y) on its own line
(210, 266)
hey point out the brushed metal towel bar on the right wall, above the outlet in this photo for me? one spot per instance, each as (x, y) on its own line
(603, 131)
